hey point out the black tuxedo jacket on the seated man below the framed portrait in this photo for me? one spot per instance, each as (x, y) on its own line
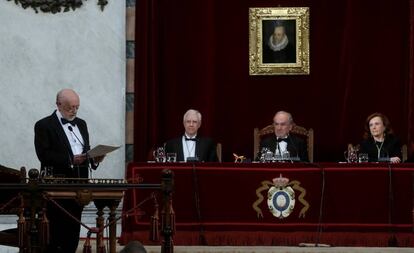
(295, 145)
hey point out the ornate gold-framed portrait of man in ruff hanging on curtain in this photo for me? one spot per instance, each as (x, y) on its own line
(279, 41)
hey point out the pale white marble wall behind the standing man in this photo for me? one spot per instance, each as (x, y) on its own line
(43, 53)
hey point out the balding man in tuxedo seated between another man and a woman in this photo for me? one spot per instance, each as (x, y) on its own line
(282, 141)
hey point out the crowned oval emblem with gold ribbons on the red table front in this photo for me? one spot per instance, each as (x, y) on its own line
(281, 197)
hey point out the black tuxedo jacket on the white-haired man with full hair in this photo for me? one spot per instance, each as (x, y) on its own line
(205, 149)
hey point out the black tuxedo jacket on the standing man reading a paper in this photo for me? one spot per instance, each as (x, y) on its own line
(53, 147)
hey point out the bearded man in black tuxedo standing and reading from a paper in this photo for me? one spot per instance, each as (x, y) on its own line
(61, 142)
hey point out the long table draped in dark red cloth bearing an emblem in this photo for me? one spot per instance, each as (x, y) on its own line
(367, 204)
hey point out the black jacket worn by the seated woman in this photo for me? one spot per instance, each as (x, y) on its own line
(390, 148)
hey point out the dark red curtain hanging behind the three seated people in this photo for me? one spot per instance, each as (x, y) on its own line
(194, 54)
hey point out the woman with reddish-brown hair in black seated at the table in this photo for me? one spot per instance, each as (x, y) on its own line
(379, 142)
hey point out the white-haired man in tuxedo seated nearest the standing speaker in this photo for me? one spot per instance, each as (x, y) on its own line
(191, 146)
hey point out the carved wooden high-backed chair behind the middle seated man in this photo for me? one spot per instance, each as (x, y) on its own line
(306, 134)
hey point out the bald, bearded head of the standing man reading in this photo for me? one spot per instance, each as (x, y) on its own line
(67, 101)
